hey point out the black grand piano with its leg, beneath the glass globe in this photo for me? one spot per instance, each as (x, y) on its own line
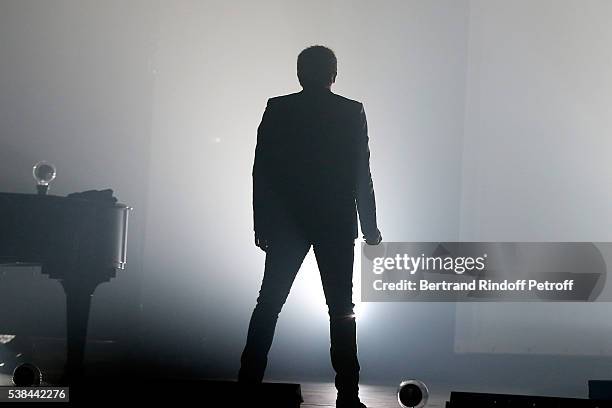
(80, 242)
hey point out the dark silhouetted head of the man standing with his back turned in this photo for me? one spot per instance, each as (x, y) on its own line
(317, 66)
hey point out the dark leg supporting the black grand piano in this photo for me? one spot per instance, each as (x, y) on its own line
(78, 304)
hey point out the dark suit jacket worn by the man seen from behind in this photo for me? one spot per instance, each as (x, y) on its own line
(312, 168)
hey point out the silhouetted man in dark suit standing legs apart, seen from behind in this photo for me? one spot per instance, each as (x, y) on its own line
(310, 178)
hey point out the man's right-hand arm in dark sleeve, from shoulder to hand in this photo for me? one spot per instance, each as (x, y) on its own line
(366, 202)
